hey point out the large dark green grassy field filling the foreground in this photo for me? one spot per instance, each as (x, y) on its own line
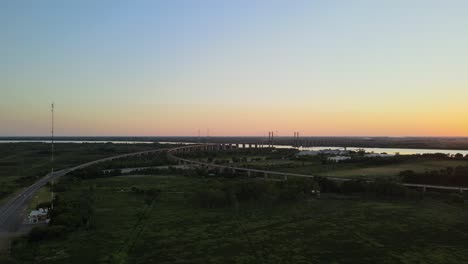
(333, 229)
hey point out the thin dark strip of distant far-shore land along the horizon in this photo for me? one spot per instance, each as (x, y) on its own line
(419, 143)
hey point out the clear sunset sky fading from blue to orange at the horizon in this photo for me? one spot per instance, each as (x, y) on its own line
(237, 68)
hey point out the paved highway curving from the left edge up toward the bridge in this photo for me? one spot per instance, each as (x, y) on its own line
(11, 213)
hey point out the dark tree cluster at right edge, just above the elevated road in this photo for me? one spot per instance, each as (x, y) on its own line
(457, 176)
